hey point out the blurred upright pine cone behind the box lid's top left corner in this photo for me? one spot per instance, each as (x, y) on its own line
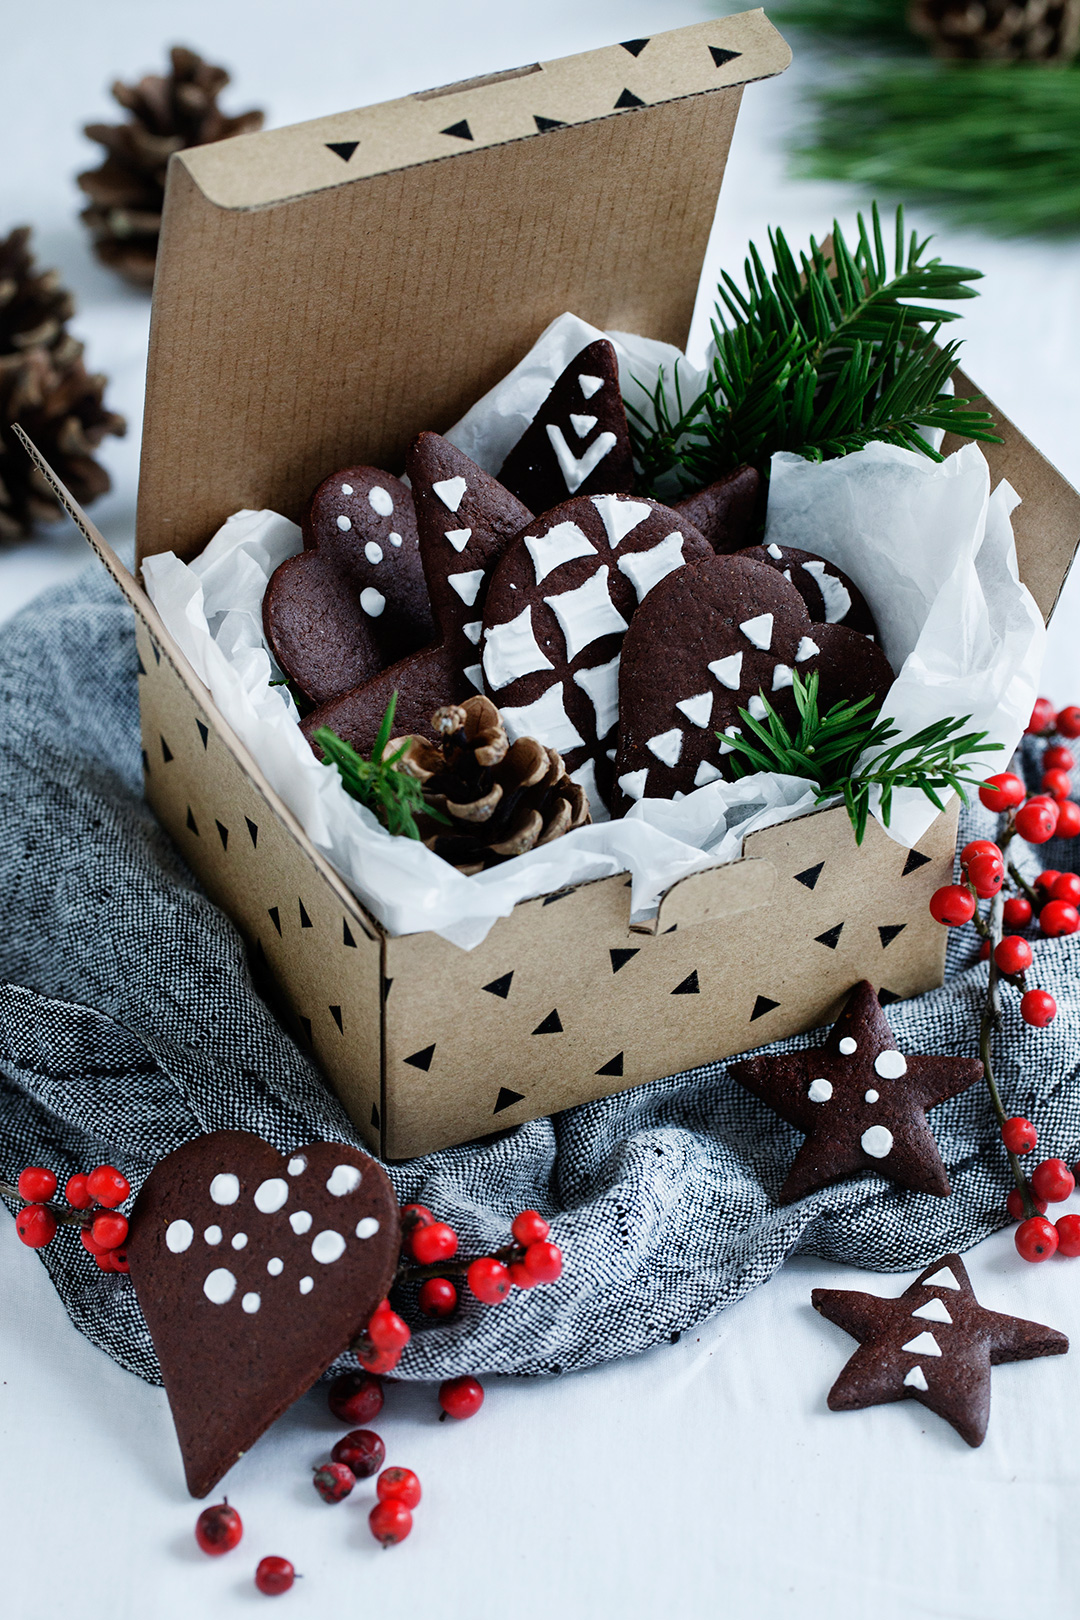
(127, 192)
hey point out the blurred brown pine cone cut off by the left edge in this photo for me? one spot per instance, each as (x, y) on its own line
(46, 388)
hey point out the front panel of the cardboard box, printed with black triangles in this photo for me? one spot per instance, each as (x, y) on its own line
(564, 1004)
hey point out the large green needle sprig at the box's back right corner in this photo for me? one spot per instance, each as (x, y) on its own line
(820, 356)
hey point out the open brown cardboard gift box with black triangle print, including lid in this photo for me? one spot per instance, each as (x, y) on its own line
(323, 294)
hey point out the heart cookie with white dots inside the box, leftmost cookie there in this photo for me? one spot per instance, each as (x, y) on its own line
(355, 599)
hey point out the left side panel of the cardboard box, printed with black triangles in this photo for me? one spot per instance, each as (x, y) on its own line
(323, 955)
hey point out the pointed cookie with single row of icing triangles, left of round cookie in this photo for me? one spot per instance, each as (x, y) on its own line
(466, 522)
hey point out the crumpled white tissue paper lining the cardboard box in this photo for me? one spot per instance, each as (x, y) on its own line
(927, 545)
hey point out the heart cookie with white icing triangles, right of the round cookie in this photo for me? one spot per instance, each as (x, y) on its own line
(716, 639)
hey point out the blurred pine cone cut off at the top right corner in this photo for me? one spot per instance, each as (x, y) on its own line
(1000, 30)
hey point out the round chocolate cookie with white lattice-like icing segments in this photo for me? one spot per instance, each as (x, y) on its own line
(558, 610)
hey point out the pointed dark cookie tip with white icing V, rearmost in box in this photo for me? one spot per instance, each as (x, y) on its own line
(577, 445)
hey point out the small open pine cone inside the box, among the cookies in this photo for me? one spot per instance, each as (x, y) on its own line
(501, 799)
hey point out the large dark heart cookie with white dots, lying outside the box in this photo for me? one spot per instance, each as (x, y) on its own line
(255, 1273)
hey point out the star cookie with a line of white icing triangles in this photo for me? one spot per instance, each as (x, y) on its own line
(935, 1344)
